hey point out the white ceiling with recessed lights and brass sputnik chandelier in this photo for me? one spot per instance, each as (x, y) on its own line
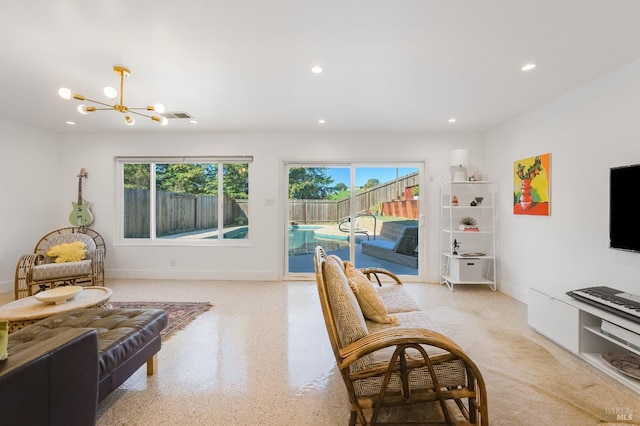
(244, 65)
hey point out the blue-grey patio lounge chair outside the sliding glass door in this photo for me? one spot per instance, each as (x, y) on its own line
(402, 250)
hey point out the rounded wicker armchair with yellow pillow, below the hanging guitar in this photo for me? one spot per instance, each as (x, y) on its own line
(37, 271)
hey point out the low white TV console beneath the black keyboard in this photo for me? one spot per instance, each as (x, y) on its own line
(575, 326)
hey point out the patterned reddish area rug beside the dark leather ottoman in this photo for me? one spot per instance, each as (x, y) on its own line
(180, 313)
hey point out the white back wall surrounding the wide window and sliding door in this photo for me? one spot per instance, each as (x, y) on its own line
(264, 259)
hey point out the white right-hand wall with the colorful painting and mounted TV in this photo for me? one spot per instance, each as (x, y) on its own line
(587, 131)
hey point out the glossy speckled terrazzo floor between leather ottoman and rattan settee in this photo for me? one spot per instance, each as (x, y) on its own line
(259, 356)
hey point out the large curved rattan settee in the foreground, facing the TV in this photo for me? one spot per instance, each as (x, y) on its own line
(396, 366)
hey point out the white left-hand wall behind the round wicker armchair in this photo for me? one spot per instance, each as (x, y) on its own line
(30, 176)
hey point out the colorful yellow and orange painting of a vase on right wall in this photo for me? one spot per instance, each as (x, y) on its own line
(531, 185)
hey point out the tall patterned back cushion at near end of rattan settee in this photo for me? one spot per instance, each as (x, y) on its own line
(348, 317)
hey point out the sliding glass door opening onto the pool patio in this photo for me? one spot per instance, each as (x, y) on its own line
(365, 213)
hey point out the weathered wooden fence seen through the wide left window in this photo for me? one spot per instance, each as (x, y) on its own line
(176, 213)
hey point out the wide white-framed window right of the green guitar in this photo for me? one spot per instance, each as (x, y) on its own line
(200, 200)
